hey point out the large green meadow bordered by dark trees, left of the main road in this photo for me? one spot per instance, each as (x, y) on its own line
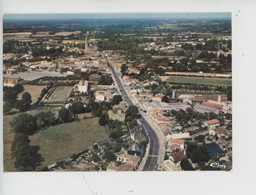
(61, 141)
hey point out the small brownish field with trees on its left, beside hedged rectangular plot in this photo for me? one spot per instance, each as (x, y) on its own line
(34, 90)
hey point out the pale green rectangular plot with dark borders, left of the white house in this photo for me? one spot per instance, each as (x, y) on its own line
(60, 94)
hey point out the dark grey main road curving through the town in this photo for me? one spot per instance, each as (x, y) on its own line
(151, 163)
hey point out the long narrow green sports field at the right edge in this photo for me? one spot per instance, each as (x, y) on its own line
(202, 81)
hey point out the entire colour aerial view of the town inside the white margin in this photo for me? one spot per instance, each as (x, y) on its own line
(121, 93)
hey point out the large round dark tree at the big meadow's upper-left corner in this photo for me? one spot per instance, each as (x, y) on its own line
(24, 123)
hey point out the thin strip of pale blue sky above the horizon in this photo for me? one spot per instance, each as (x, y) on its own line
(220, 15)
